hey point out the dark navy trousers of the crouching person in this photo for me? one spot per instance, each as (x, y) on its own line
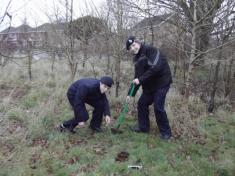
(81, 114)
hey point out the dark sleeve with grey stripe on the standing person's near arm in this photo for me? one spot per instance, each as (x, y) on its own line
(155, 66)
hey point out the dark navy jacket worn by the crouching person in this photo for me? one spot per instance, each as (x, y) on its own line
(87, 91)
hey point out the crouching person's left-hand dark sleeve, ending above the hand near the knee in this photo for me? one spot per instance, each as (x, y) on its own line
(79, 105)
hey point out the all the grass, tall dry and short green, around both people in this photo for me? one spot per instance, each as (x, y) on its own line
(30, 144)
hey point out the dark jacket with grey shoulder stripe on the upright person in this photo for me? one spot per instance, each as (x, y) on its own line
(152, 69)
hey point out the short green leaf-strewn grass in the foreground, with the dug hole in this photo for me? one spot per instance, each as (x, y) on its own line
(94, 154)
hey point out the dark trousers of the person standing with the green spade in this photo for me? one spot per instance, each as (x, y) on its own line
(158, 99)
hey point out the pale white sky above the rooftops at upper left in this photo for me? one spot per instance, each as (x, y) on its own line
(37, 12)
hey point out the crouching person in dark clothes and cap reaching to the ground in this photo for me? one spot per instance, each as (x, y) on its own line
(92, 92)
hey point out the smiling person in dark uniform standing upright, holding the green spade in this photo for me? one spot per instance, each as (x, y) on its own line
(152, 72)
